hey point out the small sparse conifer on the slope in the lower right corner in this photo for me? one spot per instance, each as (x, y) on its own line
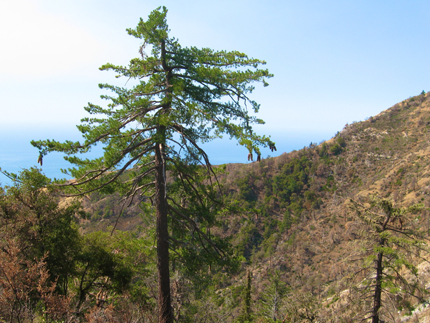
(388, 274)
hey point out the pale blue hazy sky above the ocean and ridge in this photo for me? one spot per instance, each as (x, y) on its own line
(334, 61)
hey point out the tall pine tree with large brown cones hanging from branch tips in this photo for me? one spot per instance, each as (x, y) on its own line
(153, 130)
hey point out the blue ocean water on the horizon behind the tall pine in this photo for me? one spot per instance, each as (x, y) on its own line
(16, 152)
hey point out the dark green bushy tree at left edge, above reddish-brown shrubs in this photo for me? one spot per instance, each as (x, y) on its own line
(42, 229)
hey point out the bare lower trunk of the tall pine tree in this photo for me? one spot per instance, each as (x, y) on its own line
(165, 314)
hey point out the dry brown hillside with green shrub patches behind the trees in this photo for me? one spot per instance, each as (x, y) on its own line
(295, 220)
